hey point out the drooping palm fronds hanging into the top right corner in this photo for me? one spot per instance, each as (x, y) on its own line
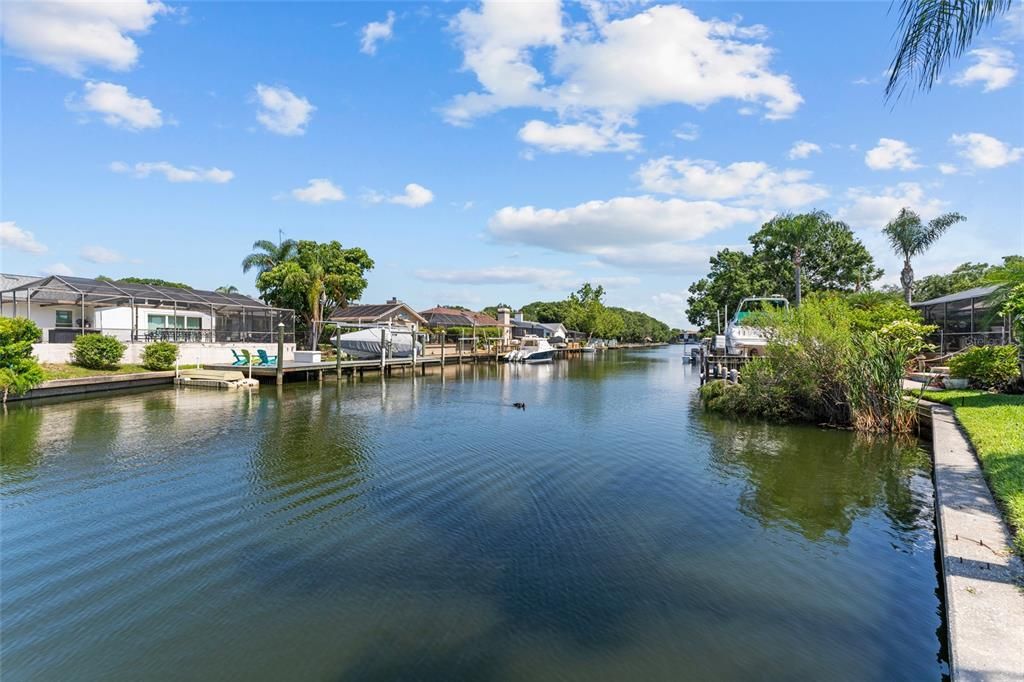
(934, 33)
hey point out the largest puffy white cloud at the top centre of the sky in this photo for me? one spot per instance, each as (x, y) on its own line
(610, 69)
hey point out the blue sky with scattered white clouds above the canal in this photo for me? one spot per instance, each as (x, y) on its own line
(486, 153)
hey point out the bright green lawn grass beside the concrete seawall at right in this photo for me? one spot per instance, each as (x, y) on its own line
(995, 423)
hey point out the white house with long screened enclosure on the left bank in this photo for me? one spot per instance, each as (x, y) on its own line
(207, 325)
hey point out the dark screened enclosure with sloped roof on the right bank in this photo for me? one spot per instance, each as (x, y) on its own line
(966, 318)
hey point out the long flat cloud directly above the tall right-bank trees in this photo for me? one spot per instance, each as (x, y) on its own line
(747, 183)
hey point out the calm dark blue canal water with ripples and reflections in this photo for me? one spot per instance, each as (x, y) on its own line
(422, 529)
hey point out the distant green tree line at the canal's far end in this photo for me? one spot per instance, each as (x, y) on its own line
(584, 311)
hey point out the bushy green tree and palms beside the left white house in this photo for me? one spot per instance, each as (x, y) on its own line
(311, 278)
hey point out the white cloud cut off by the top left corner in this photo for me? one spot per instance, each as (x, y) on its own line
(70, 35)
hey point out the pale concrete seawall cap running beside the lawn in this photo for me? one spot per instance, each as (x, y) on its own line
(985, 581)
